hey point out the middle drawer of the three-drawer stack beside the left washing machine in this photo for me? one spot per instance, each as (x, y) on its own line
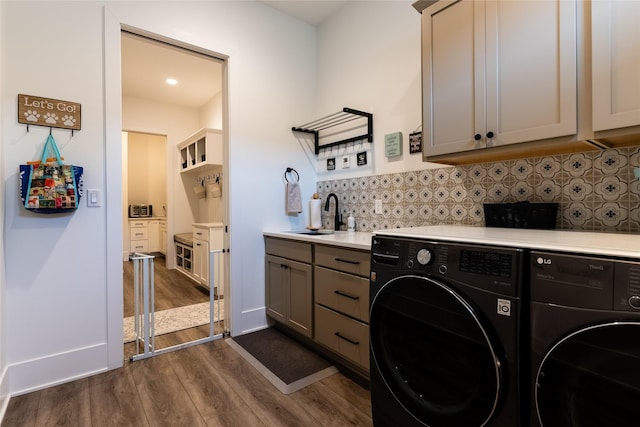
(342, 292)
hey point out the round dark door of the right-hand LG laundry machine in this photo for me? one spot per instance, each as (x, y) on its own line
(591, 378)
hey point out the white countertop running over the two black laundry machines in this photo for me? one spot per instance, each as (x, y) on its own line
(593, 243)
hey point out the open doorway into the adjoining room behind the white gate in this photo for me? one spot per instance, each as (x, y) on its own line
(154, 108)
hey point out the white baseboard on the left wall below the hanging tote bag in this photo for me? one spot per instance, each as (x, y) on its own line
(37, 374)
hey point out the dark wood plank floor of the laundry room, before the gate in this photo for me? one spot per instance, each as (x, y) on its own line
(205, 385)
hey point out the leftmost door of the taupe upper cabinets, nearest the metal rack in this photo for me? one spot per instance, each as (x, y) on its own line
(453, 76)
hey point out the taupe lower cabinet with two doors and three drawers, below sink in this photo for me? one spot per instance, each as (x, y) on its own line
(322, 293)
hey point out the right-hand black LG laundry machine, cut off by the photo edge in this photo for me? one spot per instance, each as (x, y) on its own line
(585, 320)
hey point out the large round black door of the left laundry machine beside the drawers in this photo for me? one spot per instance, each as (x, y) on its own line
(435, 354)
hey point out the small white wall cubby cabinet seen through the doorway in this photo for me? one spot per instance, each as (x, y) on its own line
(202, 150)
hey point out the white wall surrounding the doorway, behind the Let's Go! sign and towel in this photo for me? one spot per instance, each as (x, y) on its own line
(64, 274)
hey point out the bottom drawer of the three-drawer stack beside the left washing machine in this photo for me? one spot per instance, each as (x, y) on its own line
(347, 337)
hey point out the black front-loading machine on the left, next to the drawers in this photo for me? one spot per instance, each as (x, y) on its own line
(446, 324)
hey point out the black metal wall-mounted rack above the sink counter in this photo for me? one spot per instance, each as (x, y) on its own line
(341, 125)
